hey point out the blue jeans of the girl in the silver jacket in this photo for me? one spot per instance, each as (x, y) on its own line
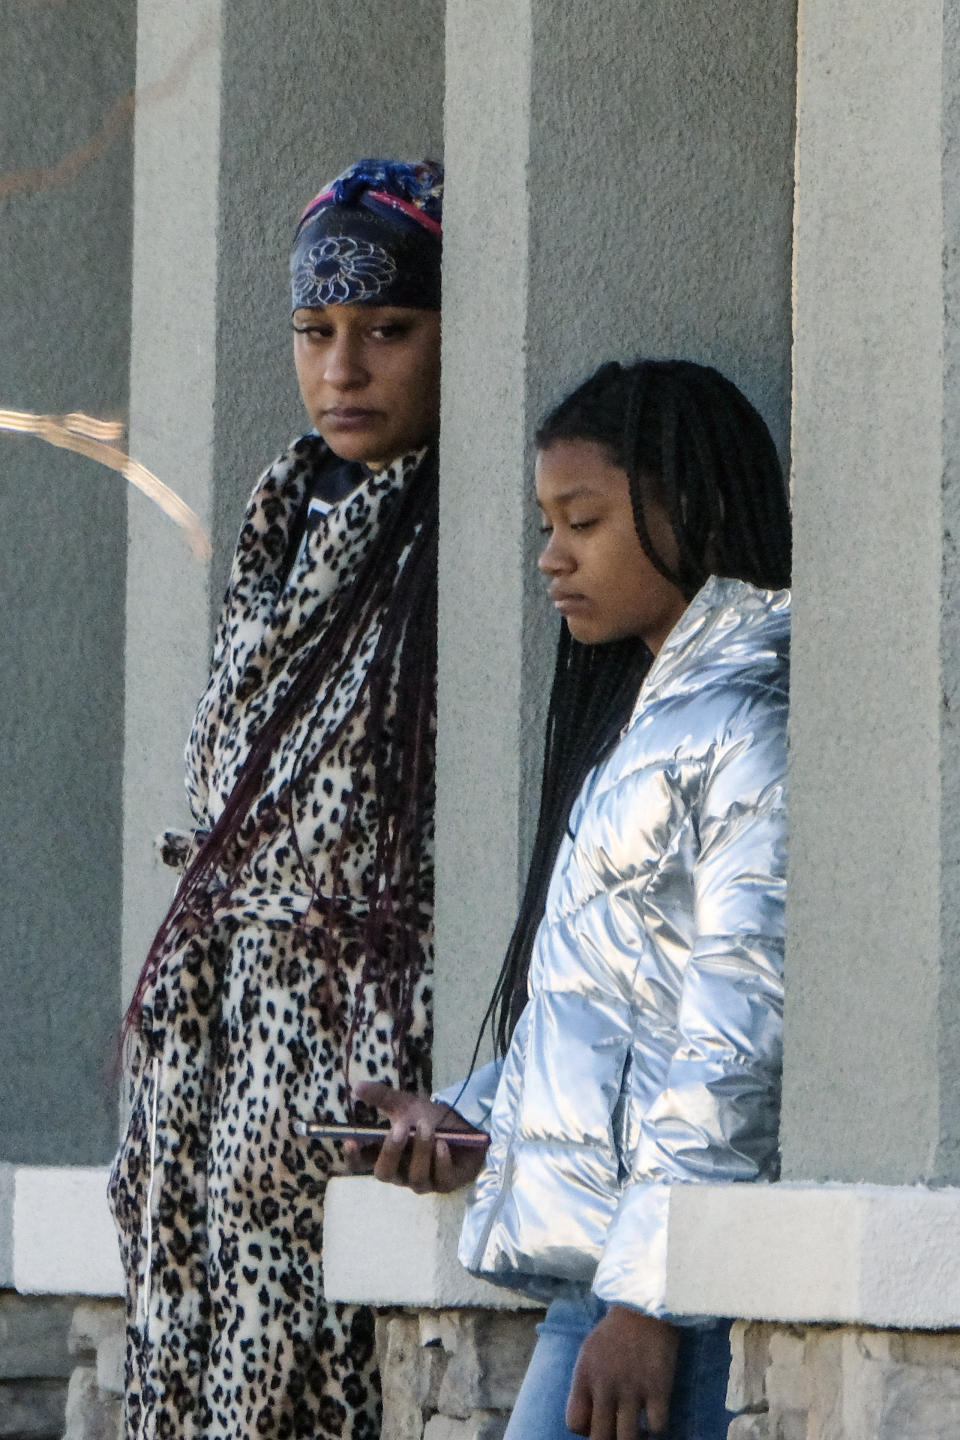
(699, 1403)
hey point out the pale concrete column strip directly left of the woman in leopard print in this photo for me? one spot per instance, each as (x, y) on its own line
(172, 398)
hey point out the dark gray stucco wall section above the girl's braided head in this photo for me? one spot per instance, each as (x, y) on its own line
(661, 178)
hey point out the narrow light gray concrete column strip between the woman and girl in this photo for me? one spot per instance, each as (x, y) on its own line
(486, 761)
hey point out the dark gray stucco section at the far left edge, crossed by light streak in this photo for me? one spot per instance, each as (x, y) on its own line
(67, 76)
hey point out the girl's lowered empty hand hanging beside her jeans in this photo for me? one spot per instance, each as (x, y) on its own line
(625, 1372)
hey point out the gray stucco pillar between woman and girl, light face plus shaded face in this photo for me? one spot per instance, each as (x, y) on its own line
(621, 184)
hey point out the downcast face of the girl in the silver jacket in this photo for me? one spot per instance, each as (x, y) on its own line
(601, 580)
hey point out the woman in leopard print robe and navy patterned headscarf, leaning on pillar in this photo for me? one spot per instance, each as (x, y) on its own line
(299, 950)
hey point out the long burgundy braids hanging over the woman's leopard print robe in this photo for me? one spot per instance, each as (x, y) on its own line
(395, 588)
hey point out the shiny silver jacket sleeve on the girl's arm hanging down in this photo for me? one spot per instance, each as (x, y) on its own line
(716, 1117)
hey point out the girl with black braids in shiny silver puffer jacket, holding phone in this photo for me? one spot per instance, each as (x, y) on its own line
(641, 997)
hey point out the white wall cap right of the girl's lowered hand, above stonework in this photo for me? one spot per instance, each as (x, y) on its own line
(874, 1255)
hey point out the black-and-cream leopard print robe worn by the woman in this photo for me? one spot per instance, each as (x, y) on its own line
(219, 1207)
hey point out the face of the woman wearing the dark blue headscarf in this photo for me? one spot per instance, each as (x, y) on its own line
(371, 378)
